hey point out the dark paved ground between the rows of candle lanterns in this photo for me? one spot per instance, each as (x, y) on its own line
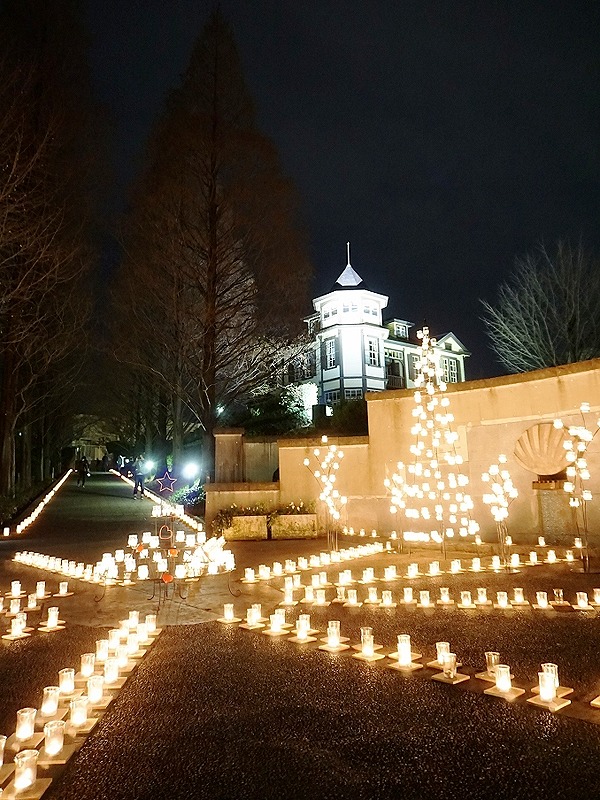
(217, 711)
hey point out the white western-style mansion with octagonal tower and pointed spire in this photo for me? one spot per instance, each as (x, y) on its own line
(354, 351)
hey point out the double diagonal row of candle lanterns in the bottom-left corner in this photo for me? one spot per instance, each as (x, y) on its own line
(101, 673)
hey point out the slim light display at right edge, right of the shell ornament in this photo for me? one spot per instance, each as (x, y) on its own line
(578, 476)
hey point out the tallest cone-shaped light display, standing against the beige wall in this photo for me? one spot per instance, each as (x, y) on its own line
(431, 491)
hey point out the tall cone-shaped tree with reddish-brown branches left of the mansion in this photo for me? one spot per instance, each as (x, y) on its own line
(215, 281)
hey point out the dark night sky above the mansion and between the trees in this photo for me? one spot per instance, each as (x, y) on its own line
(440, 138)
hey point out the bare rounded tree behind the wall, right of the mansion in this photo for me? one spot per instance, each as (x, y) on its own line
(548, 312)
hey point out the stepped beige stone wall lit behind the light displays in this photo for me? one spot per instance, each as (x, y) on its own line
(490, 416)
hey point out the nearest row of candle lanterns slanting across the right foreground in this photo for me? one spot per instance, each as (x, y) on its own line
(548, 693)
